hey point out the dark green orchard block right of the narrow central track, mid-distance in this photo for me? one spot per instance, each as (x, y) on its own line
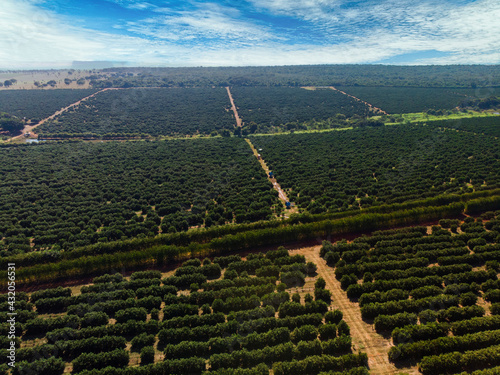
(359, 168)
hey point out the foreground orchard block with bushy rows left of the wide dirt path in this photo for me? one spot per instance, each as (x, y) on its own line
(189, 322)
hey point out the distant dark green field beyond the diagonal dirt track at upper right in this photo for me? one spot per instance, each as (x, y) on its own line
(410, 99)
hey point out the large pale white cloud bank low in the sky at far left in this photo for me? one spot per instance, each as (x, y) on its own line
(30, 34)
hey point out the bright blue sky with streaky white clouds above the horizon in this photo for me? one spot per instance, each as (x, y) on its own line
(55, 33)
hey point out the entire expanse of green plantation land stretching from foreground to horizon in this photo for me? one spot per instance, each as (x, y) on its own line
(133, 254)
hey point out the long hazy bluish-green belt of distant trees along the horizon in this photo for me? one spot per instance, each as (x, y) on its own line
(470, 76)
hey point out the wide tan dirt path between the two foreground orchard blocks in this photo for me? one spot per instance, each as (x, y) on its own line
(364, 337)
